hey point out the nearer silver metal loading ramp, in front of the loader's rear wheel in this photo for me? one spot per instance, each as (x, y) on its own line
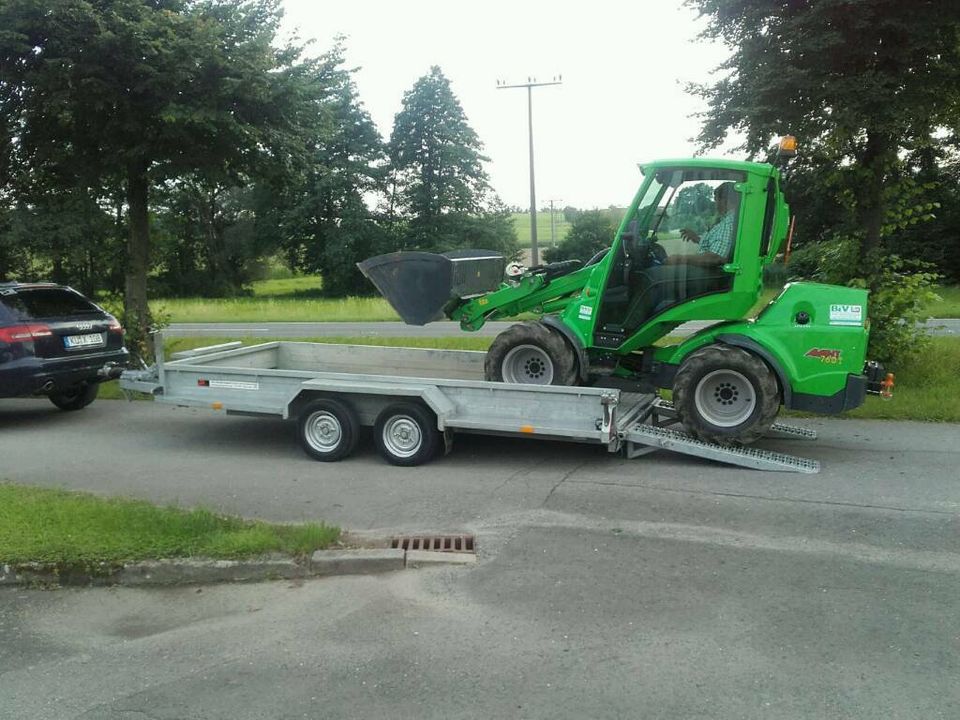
(745, 457)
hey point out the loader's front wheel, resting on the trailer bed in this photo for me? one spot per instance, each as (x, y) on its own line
(531, 353)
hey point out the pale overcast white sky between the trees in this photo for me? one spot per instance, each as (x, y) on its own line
(621, 102)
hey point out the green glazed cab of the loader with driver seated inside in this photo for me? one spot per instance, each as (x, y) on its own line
(693, 233)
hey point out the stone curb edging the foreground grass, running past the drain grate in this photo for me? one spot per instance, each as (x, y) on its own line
(323, 563)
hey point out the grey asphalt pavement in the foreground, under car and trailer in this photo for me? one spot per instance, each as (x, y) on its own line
(663, 587)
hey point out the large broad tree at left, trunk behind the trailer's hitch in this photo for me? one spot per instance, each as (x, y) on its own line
(144, 91)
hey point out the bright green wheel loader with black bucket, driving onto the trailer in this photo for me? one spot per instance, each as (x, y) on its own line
(691, 247)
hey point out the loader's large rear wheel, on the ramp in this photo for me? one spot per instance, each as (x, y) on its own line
(726, 395)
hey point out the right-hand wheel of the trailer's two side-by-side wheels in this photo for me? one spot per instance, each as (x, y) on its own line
(406, 434)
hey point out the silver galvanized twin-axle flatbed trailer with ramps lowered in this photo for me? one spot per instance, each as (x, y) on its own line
(417, 400)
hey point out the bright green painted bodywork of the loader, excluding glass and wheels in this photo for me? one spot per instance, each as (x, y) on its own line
(815, 357)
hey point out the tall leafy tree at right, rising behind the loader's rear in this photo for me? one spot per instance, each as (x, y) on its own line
(863, 83)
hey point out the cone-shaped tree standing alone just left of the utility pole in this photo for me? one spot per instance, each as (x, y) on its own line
(441, 192)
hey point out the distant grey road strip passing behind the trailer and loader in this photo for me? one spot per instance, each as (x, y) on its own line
(949, 326)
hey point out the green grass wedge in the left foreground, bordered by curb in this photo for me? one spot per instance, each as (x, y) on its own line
(56, 526)
